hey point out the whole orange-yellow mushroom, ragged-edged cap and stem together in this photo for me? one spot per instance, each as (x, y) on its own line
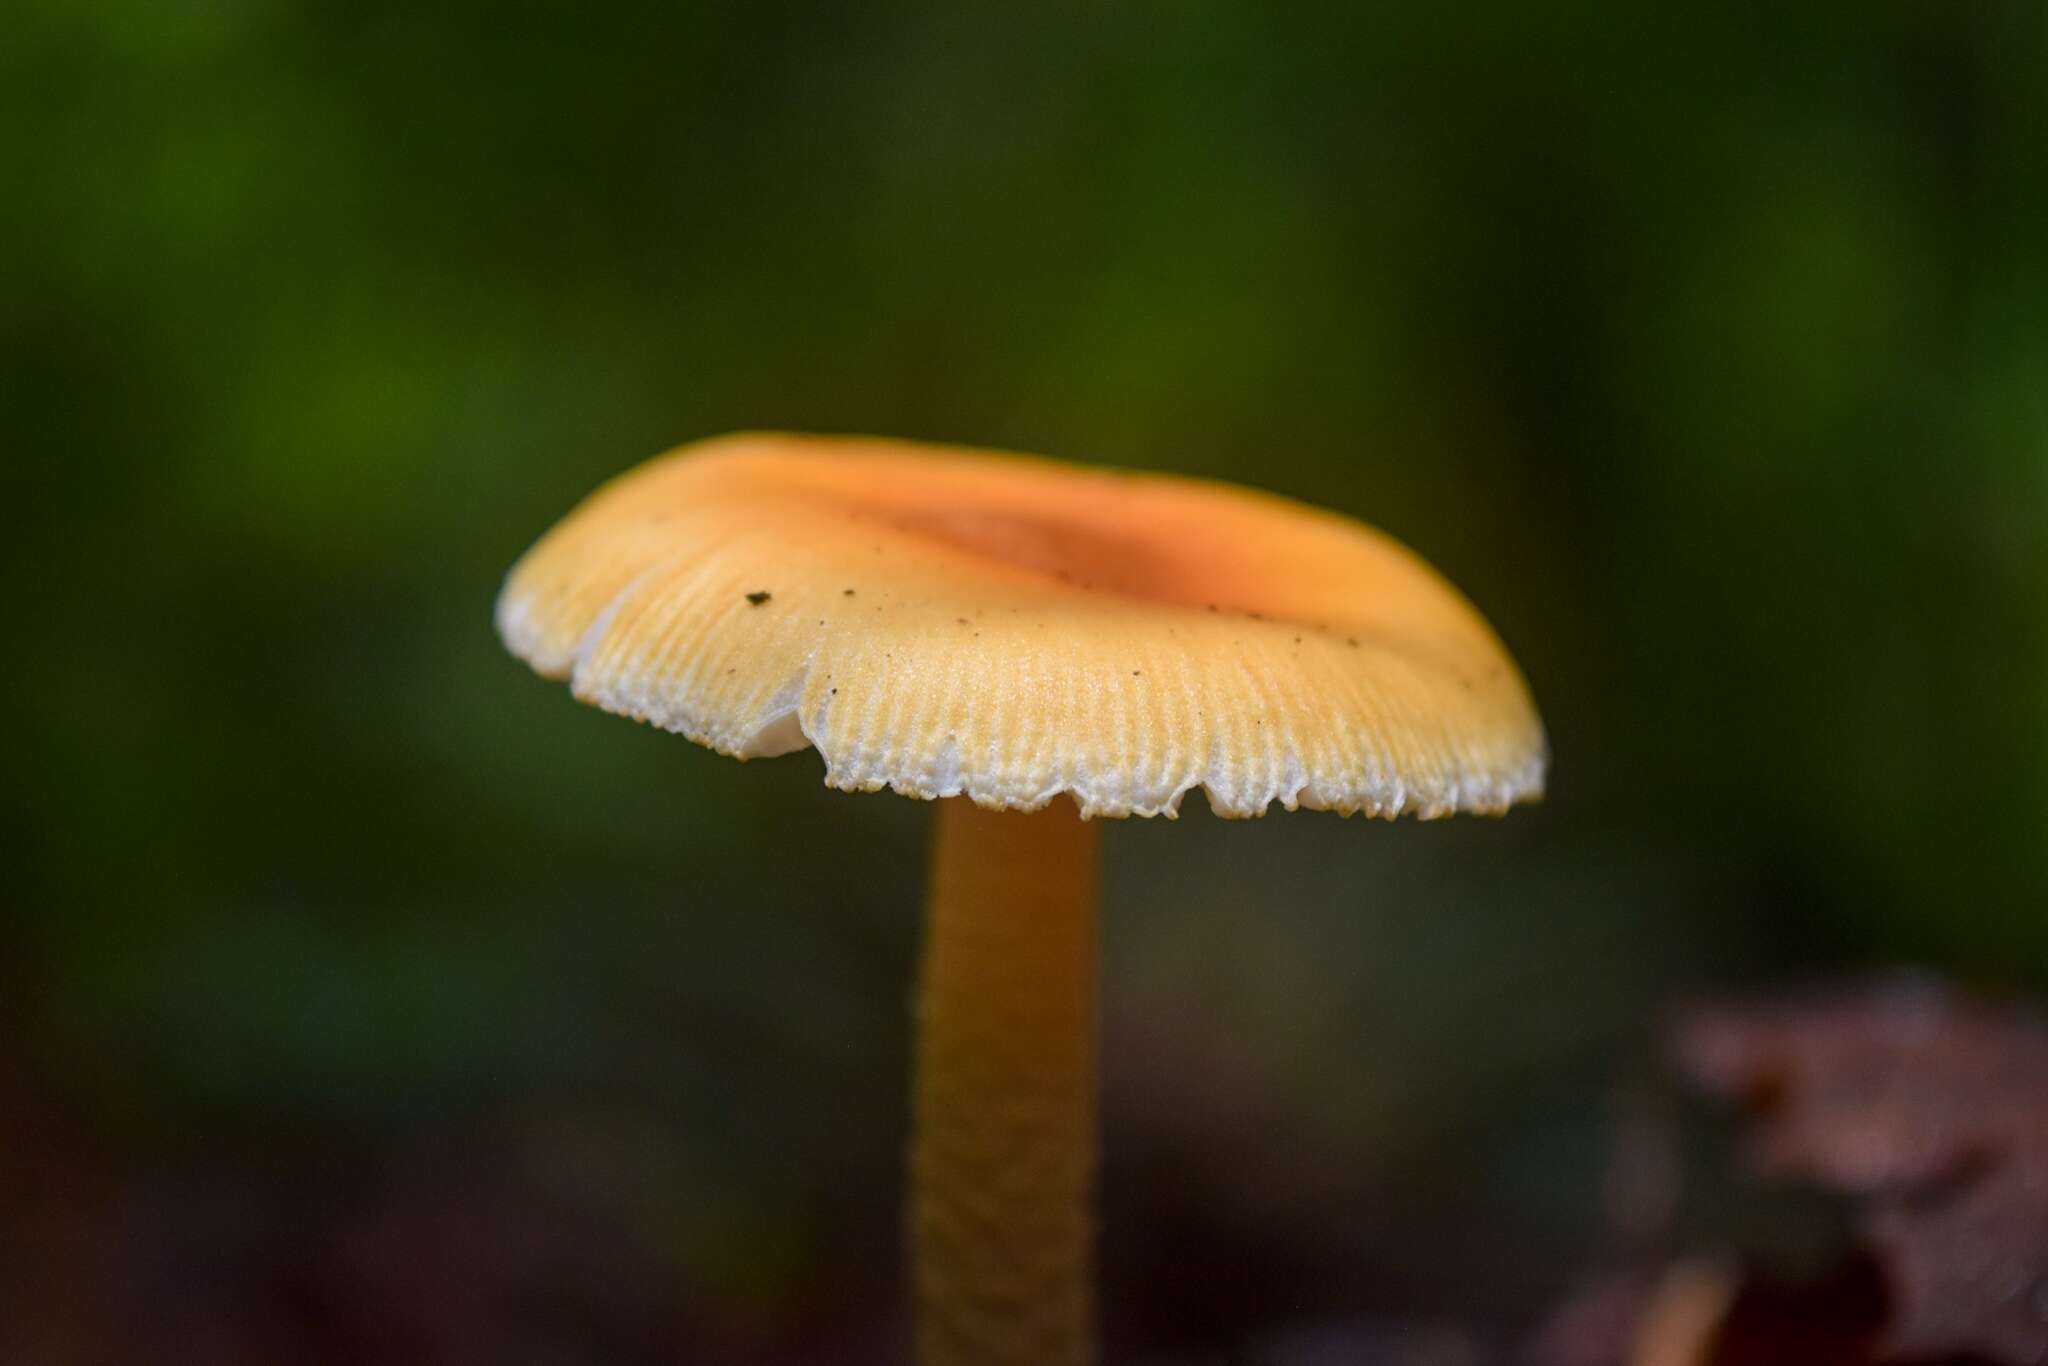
(1029, 644)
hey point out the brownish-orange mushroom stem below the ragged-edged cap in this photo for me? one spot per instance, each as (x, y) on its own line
(1005, 1119)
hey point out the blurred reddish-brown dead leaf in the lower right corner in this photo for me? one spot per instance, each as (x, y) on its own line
(1932, 1111)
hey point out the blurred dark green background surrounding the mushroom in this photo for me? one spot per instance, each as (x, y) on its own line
(364, 998)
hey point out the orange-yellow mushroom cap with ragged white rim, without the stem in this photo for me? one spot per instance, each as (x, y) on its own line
(1009, 628)
